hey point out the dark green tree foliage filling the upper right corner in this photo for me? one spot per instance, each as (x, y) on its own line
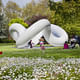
(67, 15)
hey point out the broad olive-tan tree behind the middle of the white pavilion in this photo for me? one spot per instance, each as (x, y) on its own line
(36, 9)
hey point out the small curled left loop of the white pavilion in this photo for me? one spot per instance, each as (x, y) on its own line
(16, 30)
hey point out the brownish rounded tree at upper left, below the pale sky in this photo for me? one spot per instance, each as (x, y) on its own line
(12, 10)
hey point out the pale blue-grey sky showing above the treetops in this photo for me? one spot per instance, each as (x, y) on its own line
(22, 3)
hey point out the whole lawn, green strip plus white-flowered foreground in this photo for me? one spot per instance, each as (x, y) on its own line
(32, 64)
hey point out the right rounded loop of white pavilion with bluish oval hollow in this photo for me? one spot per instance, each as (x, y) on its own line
(55, 35)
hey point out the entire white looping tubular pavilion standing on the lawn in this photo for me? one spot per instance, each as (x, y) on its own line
(53, 34)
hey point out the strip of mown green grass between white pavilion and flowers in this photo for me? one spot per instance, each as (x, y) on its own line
(9, 50)
